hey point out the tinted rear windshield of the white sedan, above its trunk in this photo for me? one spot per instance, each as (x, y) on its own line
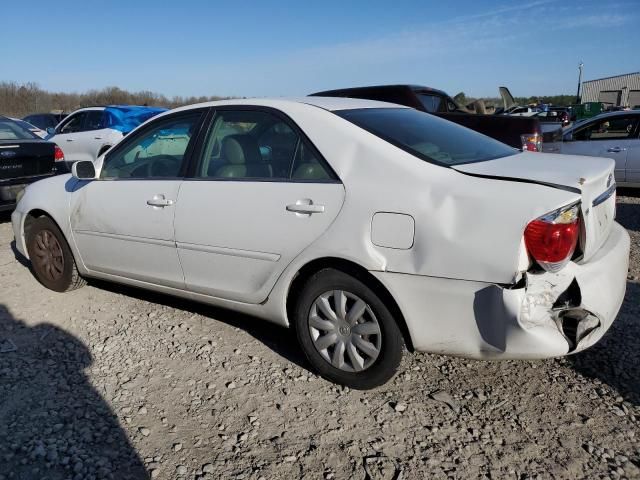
(428, 137)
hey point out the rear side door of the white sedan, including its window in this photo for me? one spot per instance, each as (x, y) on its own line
(261, 194)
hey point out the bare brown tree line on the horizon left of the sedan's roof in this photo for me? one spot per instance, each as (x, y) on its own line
(19, 100)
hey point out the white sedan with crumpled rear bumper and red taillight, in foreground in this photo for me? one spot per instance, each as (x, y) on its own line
(366, 226)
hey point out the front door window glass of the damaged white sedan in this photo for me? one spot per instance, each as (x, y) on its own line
(157, 152)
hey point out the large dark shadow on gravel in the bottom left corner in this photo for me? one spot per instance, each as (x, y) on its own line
(53, 423)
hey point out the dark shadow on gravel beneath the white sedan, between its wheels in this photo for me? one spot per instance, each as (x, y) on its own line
(281, 340)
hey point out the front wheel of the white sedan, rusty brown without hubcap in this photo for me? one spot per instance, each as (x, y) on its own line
(51, 259)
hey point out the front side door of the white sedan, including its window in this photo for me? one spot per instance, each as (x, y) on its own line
(123, 222)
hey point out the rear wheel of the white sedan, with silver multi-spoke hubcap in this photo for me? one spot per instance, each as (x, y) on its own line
(364, 345)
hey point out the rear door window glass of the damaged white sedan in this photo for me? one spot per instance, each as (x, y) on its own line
(259, 145)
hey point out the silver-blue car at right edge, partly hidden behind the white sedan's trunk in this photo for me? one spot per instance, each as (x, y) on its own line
(614, 135)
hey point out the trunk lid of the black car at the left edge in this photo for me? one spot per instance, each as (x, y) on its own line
(25, 158)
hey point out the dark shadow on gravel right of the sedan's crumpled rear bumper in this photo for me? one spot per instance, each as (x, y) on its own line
(615, 360)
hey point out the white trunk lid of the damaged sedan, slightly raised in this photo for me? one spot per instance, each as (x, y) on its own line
(590, 177)
